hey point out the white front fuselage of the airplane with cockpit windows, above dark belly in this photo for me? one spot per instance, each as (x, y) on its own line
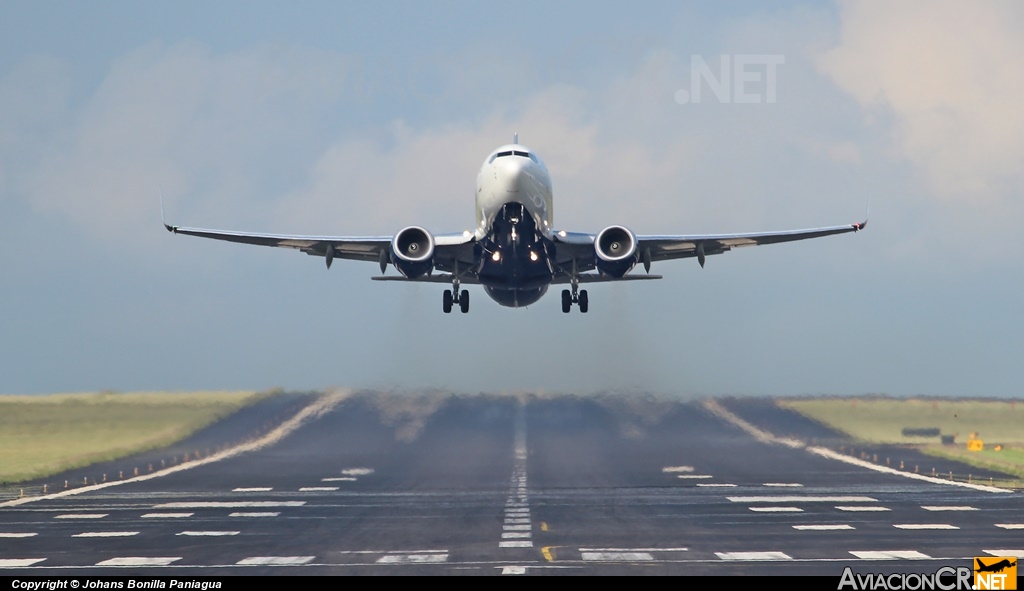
(514, 174)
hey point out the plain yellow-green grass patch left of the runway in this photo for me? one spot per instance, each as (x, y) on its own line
(41, 436)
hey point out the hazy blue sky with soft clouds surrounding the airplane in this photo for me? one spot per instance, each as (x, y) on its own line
(362, 119)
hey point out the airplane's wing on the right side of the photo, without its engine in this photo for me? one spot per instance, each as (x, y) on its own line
(655, 248)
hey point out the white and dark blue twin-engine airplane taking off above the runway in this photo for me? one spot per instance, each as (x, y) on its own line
(516, 254)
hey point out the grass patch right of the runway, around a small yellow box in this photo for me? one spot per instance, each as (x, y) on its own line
(882, 420)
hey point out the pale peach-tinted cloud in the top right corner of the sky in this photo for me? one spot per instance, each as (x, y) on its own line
(952, 74)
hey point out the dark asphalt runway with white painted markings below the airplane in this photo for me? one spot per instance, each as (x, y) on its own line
(392, 485)
